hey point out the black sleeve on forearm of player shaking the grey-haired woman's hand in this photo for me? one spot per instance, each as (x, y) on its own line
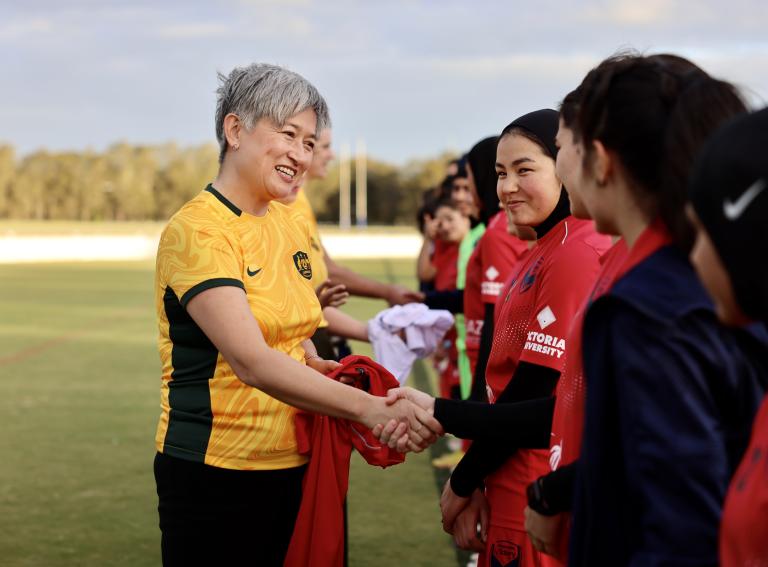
(518, 424)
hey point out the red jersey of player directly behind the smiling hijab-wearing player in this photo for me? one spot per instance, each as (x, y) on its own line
(491, 263)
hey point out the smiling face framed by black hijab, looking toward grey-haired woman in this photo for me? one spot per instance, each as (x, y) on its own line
(527, 184)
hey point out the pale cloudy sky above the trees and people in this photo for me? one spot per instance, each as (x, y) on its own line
(413, 78)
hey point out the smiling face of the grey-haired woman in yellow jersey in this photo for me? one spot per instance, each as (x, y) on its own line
(272, 159)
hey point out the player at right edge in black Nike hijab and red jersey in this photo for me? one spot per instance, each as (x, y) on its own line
(729, 207)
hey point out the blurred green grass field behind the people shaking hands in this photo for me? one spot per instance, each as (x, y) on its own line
(79, 396)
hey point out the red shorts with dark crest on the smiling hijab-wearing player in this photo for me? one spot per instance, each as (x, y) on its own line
(512, 548)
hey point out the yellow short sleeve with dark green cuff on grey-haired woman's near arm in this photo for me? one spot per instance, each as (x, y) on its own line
(192, 260)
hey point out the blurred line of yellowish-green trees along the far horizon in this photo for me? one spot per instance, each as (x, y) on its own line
(139, 182)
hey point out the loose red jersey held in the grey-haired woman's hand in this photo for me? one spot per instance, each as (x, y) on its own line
(318, 537)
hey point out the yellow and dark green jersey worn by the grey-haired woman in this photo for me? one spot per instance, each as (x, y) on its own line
(208, 414)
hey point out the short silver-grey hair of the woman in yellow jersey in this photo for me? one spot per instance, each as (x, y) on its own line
(260, 91)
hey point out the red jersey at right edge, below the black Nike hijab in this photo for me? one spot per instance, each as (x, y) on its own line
(744, 527)
